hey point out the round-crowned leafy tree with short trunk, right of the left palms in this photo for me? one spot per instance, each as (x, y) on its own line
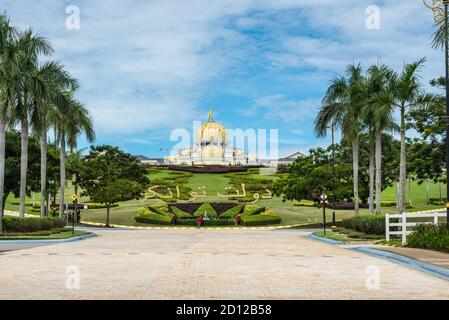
(109, 175)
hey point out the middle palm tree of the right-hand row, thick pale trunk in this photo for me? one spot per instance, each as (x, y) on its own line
(380, 115)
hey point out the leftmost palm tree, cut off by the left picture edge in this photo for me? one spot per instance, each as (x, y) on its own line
(7, 37)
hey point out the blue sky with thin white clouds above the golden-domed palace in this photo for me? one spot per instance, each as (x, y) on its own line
(148, 67)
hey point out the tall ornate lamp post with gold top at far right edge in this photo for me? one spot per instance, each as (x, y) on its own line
(440, 15)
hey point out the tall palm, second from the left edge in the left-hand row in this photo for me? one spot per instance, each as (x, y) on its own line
(29, 88)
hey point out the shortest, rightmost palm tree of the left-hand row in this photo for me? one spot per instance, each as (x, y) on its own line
(70, 123)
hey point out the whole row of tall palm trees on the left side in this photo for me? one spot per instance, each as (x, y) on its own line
(37, 95)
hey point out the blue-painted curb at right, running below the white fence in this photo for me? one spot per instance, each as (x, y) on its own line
(440, 272)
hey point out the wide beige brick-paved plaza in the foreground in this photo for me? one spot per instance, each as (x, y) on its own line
(207, 264)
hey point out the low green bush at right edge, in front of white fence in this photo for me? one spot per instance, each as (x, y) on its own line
(430, 237)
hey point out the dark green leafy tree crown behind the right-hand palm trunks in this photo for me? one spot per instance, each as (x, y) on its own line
(311, 175)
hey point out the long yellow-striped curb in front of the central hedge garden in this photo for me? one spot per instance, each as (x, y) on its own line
(118, 226)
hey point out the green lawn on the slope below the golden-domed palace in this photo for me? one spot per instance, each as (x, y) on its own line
(213, 183)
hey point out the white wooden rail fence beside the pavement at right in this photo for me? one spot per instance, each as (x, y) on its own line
(428, 218)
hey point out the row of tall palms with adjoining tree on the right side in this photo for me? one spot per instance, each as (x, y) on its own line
(364, 106)
